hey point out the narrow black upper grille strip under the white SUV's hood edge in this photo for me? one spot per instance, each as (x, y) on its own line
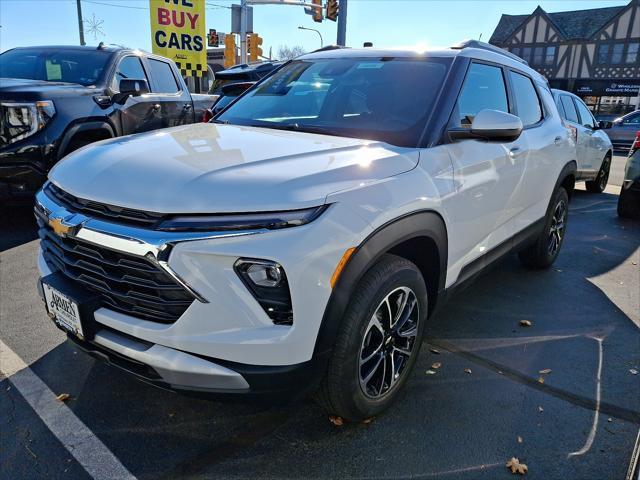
(122, 215)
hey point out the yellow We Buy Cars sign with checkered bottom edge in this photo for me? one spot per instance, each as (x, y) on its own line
(178, 33)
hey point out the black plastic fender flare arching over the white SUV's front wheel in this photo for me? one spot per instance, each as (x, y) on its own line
(426, 223)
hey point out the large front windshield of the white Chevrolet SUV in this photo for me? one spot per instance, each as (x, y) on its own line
(386, 99)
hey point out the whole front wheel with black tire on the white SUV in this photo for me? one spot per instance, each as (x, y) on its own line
(365, 345)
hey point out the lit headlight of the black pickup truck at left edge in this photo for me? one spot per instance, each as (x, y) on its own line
(20, 120)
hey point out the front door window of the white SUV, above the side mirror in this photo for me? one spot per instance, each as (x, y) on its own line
(483, 88)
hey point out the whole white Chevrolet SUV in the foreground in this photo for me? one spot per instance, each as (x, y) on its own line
(301, 241)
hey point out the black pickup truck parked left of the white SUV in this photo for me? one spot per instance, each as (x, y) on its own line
(54, 100)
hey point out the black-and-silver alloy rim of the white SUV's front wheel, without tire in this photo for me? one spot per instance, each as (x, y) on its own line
(388, 342)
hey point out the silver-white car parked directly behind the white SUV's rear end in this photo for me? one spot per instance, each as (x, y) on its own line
(594, 149)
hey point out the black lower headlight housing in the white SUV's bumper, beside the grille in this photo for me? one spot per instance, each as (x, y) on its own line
(267, 282)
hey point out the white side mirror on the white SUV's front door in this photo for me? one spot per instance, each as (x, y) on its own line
(491, 125)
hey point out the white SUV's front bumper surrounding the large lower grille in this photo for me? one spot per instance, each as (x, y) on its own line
(224, 341)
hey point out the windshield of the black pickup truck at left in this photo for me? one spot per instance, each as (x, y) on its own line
(72, 66)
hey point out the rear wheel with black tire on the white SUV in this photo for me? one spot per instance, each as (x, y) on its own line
(546, 248)
